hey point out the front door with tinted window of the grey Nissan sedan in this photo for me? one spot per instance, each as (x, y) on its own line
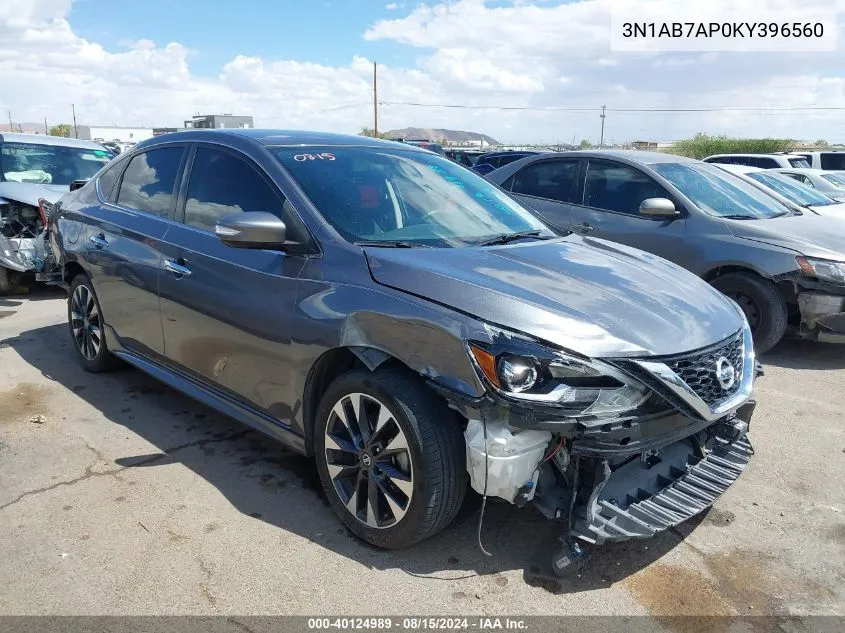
(227, 311)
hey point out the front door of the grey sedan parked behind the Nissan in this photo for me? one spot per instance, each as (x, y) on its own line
(610, 209)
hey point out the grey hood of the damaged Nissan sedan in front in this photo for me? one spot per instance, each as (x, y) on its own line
(589, 296)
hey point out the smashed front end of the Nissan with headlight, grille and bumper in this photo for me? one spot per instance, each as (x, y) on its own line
(613, 448)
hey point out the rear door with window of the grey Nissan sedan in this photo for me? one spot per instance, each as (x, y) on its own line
(124, 244)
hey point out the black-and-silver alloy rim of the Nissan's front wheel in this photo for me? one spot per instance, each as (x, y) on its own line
(369, 460)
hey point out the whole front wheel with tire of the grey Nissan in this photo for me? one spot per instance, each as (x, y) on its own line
(390, 455)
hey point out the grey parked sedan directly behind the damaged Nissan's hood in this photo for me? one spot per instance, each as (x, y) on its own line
(784, 270)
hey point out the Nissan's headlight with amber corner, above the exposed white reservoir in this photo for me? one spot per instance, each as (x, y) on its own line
(524, 370)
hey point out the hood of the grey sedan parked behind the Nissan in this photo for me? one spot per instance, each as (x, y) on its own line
(809, 234)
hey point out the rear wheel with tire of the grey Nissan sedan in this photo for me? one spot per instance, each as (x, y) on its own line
(86, 326)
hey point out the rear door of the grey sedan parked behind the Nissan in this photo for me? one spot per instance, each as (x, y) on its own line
(549, 187)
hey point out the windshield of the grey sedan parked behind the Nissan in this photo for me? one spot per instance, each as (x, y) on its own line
(719, 193)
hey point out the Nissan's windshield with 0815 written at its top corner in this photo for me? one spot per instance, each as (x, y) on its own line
(388, 195)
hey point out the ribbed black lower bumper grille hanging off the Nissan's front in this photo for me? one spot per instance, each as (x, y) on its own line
(686, 491)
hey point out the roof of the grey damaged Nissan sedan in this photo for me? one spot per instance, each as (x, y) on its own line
(278, 137)
